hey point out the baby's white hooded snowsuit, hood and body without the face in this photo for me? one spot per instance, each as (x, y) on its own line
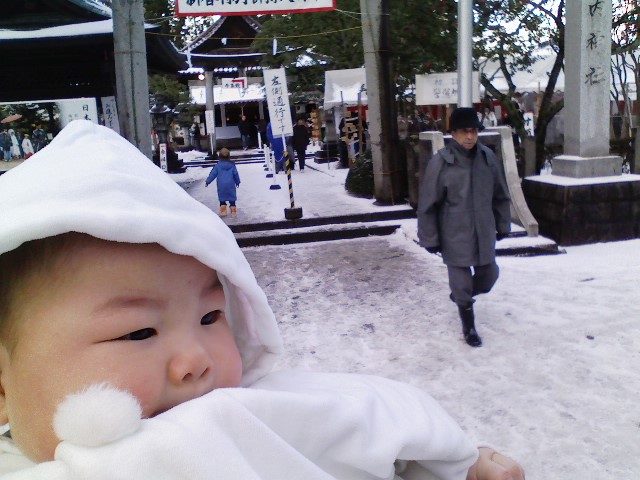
(284, 425)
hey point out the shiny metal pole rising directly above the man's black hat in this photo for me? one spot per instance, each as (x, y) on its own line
(465, 52)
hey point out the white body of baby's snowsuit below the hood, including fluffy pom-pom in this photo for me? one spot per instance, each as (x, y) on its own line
(287, 425)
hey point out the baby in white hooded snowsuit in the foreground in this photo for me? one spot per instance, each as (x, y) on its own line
(136, 343)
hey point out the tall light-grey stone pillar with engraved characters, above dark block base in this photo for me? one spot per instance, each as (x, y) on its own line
(587, 84)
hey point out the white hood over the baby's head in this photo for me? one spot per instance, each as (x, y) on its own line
(91, 180)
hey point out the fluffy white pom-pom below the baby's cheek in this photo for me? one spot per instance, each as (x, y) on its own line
(96, 416)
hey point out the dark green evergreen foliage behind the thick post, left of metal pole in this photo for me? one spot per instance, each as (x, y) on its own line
(424, 38)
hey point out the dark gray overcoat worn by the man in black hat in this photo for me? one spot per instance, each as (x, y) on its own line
(463, 202)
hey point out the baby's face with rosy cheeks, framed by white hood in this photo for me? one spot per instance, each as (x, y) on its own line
(135, 316)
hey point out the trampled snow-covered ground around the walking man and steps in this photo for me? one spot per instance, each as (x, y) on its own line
(556, 384)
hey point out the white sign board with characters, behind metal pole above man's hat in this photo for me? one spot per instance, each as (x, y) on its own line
(442, 88)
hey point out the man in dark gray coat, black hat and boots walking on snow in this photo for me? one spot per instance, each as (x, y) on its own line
(463, 208)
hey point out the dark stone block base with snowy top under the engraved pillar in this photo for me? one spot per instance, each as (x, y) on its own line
(582, 211)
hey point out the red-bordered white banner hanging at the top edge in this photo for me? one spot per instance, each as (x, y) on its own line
(199, 8)
